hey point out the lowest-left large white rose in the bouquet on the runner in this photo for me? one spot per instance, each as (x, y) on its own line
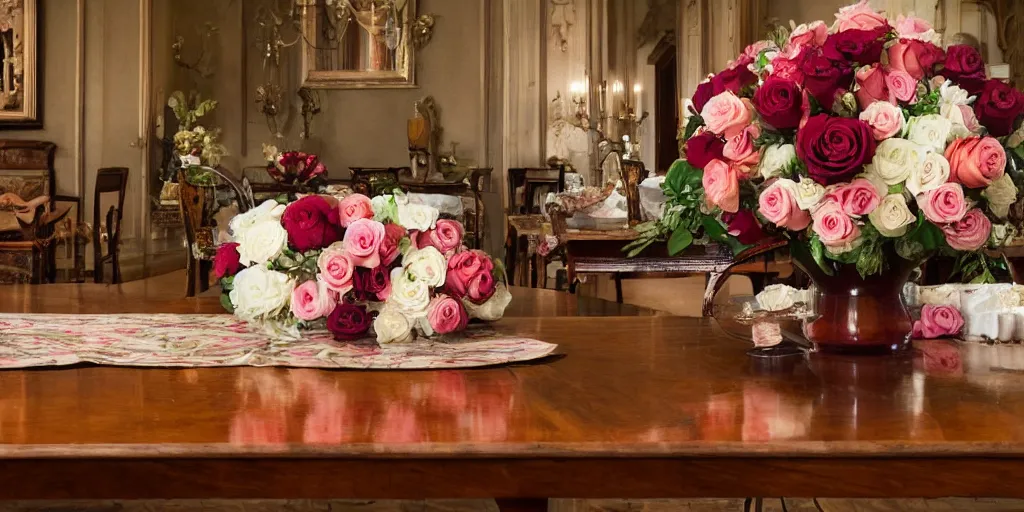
(260, 293)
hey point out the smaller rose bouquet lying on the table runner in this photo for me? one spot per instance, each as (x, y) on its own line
(357, 266)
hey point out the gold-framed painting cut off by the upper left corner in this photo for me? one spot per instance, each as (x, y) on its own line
(21, 106)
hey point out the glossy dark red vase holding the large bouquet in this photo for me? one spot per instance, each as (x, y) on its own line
(855, 315)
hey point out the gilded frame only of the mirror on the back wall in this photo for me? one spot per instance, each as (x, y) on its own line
(404, 77)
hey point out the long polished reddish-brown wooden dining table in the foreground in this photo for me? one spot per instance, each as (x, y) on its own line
(635, 405)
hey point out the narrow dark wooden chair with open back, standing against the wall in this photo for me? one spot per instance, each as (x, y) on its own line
(111, 180)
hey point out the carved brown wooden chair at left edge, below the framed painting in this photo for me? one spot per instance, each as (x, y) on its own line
(28, 254)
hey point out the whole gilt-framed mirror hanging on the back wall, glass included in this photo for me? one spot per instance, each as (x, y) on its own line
(359, 44)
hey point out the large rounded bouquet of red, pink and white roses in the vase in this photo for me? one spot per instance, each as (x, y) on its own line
(857, 142)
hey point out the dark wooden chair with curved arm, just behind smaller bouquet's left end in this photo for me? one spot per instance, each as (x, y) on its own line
(197, 205)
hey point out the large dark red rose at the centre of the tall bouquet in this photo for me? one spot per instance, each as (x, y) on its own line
(835, 149)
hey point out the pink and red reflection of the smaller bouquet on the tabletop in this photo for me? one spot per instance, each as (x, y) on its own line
(313, 407)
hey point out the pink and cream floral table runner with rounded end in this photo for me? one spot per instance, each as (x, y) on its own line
(222, 340)
